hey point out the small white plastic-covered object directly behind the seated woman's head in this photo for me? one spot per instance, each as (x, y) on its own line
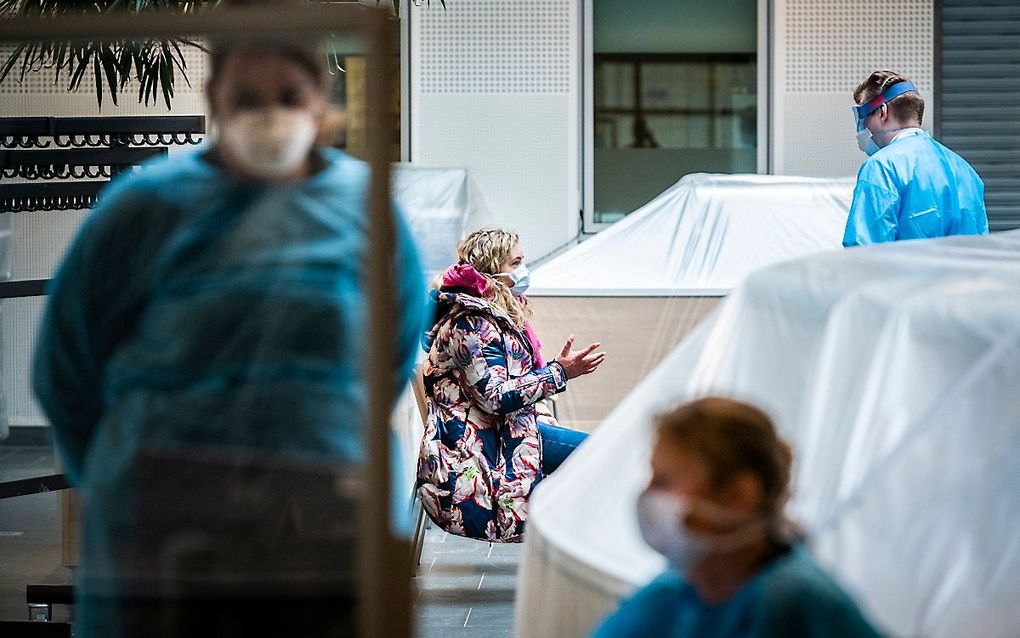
(442, 206)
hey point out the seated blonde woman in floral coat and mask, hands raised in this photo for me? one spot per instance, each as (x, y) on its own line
(487, 444)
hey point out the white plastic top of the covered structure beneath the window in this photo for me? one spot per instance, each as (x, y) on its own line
(702, 237)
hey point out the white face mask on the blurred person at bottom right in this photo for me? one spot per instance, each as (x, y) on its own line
(660, 517)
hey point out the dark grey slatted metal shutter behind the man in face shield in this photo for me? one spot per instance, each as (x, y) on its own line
(980, 115)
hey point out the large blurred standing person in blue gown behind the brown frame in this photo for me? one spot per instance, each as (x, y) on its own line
(201, 363)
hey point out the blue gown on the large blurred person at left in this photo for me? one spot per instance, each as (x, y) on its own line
(197, 310)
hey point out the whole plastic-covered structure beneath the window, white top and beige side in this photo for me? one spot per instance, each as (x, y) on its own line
(642, 285)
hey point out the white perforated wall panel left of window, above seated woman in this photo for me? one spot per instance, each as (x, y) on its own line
(494, 89)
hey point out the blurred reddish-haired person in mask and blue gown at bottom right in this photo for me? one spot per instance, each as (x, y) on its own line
(715, 509)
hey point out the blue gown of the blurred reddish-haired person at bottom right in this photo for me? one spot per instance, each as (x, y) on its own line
(791, 597)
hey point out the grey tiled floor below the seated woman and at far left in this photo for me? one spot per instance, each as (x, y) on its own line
(466, 587)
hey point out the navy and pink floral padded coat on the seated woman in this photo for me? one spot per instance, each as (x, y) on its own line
(481, 454)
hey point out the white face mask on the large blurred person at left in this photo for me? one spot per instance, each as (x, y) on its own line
(270, 143)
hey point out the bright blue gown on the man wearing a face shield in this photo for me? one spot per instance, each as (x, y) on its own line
(915, 188)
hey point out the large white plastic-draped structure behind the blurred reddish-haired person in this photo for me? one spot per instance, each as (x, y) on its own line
(895, 371)
